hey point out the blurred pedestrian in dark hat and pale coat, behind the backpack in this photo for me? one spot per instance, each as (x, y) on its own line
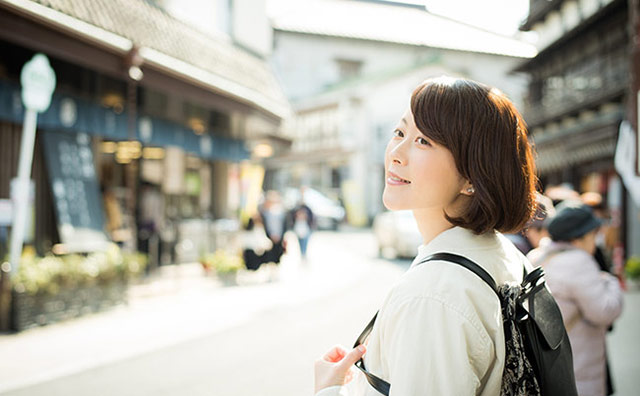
(589, 298)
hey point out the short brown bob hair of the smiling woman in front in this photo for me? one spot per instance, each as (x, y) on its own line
(488, 140)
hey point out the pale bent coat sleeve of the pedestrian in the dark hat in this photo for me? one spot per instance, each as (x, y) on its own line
(597, 293)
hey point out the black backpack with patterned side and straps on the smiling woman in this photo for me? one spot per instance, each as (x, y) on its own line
(538, 357)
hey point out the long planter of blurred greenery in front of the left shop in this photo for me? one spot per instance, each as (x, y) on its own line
(53, 288)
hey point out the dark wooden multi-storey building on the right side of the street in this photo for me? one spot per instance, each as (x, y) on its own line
(578, 96)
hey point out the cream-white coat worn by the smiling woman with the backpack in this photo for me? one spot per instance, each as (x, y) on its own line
(439, 331)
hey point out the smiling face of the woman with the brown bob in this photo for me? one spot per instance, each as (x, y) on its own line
(419, 174)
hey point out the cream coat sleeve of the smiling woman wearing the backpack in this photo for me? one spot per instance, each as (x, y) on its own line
(434, 348)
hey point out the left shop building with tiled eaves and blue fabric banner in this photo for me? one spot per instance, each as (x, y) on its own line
(148, 127)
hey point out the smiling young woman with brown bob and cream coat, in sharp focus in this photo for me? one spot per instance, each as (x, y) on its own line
(460, 159)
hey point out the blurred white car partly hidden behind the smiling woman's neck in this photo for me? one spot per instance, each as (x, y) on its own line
(397, 234)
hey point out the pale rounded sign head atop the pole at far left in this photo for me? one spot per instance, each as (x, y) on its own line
(38, 82)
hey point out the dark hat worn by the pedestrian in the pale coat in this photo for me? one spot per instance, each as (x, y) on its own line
(573, 219)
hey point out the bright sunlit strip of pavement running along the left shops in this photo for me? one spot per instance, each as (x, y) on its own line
(178, 304)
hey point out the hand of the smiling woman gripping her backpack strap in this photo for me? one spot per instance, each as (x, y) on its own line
(334, 368)
